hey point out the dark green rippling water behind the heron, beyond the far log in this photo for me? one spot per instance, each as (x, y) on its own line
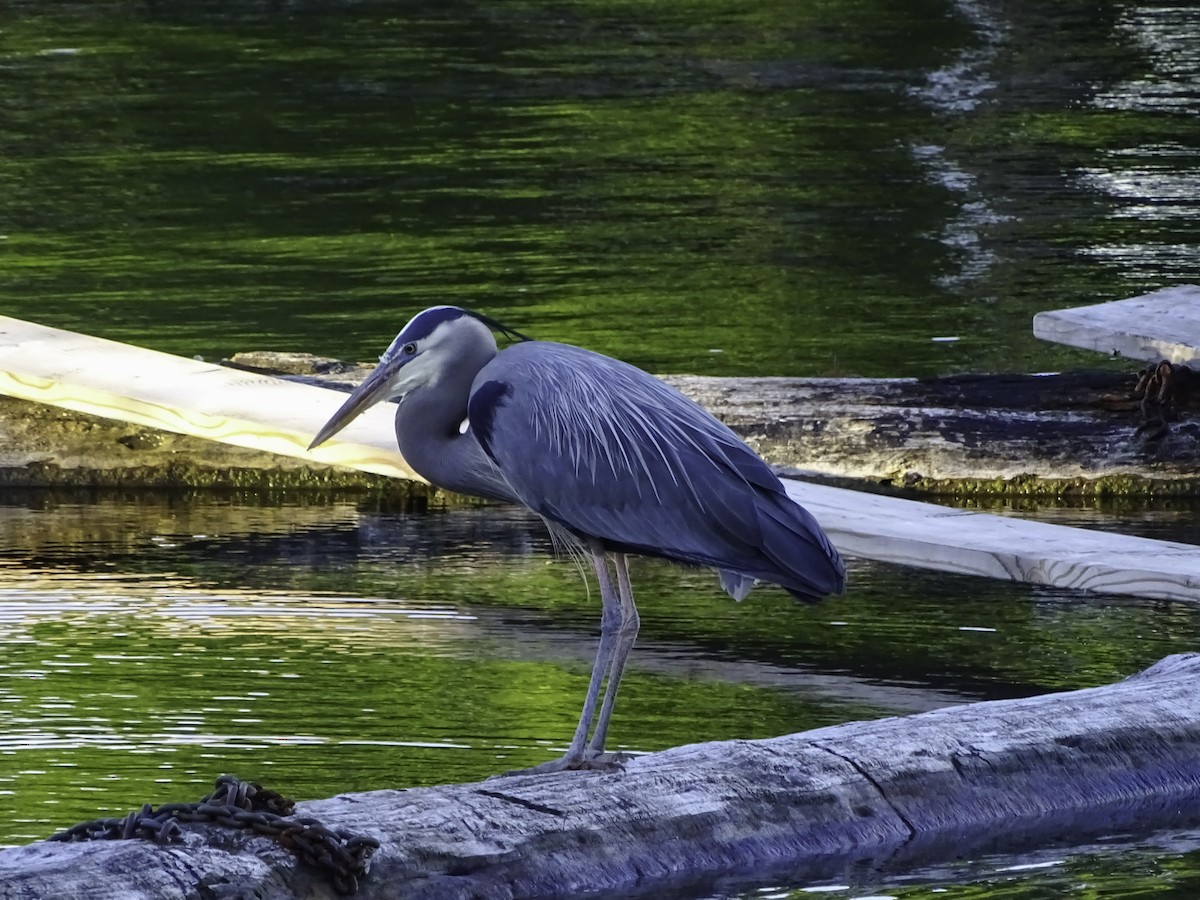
(699, 187)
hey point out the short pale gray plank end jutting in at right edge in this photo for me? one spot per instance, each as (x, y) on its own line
(1163, 325)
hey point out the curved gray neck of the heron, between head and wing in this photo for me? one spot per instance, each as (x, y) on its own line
(429, 433)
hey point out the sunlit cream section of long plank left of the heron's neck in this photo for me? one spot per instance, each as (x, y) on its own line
(187, 397)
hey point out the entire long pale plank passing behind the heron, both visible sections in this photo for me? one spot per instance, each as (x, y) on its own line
(187, 397)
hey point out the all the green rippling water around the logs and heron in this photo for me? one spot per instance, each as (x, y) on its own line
(698, 187)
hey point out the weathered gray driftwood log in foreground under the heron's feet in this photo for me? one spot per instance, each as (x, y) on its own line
(895, 793)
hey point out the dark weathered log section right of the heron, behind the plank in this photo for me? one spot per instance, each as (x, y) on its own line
(983, 433)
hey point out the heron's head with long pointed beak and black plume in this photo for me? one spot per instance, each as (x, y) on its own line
(434, 341)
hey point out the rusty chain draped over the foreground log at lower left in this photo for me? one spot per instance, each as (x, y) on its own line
(341, 856)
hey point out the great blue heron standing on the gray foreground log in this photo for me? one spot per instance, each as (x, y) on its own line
(613, 459)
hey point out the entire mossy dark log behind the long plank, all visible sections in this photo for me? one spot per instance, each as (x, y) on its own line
(1073, 433)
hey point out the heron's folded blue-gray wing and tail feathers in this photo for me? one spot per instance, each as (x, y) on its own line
(609, 452)
